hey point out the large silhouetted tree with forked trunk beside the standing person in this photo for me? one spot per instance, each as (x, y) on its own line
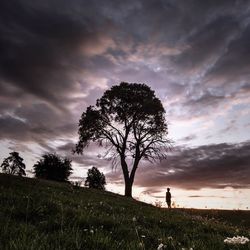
(129, 120)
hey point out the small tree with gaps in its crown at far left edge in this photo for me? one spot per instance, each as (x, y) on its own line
(13, 164)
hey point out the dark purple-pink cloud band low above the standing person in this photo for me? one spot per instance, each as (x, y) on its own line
(214, 166)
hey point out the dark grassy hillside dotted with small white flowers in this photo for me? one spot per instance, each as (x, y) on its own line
(39, 214)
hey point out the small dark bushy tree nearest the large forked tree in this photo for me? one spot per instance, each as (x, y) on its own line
(95, 179)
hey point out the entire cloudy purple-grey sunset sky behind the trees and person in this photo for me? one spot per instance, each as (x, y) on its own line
(58, 57)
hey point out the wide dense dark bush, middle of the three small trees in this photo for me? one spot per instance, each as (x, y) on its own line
(53, 167)
